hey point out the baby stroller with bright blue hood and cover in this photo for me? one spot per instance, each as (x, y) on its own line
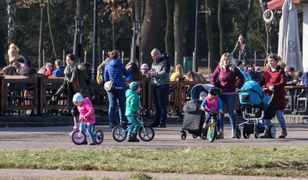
(255, 106)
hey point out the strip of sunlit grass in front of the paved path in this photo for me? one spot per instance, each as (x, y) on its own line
(265, 161)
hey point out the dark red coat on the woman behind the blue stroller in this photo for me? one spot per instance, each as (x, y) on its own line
(278, 80)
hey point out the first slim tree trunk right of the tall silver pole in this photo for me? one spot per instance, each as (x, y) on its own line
(209, 34)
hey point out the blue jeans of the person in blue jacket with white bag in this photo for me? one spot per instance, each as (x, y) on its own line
(116, 97)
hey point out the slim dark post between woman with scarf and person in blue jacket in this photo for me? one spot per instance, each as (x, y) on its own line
(94, 43)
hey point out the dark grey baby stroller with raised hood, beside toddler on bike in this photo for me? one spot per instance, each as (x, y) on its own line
(193, 118)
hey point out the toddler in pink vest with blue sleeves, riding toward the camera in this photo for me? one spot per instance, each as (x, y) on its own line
(213, 103)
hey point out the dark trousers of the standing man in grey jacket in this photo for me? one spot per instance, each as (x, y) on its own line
(160, 100)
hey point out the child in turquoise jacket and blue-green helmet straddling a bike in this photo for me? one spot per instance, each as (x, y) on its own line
(132, 107)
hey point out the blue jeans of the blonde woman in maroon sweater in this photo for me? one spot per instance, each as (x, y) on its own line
(229, 102)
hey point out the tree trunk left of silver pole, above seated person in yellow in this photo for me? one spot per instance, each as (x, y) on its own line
(179, 30)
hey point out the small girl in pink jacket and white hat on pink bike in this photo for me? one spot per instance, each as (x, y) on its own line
(86, 115)
